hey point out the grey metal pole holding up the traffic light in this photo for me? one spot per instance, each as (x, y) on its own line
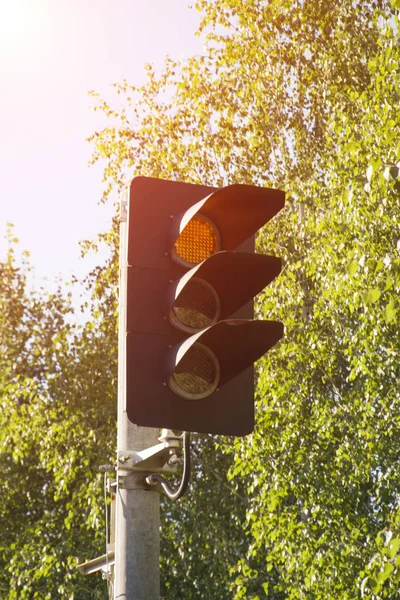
(137, 539)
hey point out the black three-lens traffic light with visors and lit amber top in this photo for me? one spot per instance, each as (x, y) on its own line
(192, 277)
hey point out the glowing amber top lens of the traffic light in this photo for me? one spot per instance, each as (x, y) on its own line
(198, 240)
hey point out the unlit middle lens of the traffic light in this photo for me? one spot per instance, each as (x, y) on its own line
(196, 307)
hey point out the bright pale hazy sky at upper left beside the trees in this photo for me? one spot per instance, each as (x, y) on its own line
(52, 52)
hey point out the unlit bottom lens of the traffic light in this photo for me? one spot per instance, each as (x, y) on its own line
(197, 374)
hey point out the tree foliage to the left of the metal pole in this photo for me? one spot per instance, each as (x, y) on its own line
(57, 419)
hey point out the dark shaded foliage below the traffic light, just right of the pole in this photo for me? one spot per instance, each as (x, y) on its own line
(202, 535)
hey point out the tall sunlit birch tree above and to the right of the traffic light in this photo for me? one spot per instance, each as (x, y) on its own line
(302, 96)
